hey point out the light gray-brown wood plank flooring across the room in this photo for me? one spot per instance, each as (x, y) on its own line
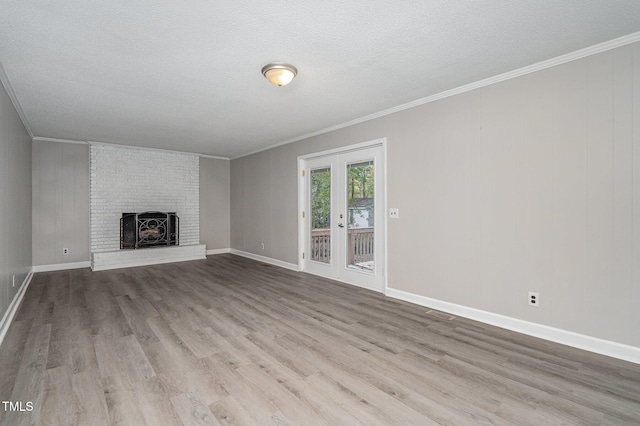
(228, 340)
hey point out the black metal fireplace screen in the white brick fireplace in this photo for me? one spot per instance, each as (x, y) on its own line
(149, 229)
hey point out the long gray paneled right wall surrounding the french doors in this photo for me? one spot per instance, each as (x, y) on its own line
(531, 184)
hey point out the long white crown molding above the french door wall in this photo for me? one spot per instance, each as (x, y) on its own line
(559, 60)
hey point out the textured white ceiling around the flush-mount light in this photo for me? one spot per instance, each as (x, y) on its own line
(185, 75)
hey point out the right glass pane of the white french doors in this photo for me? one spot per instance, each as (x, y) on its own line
(360, 216)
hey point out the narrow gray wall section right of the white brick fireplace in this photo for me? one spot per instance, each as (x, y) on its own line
(214, 203)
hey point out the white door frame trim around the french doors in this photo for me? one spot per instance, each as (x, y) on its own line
(302, 237)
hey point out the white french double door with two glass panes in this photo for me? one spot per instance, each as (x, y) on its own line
(342, 203)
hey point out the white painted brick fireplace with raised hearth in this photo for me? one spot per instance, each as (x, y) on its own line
(127, 179)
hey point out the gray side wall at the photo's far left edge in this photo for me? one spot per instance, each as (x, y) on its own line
(15, 201)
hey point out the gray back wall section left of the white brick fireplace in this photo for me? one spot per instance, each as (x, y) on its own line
(60, 202)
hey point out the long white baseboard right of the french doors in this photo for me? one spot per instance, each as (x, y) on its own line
(569, 338)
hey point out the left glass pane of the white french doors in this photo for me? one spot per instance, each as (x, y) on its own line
(320, 215)
